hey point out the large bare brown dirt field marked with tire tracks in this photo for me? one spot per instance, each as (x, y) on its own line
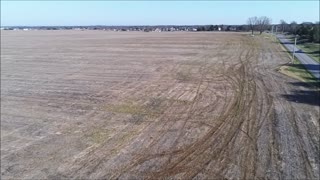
(133, 105)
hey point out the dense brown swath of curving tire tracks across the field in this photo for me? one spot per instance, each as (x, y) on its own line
(237, 124)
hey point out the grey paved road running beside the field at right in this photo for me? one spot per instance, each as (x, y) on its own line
(311, 65)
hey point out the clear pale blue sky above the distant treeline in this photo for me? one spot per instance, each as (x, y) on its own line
(64, 13)
